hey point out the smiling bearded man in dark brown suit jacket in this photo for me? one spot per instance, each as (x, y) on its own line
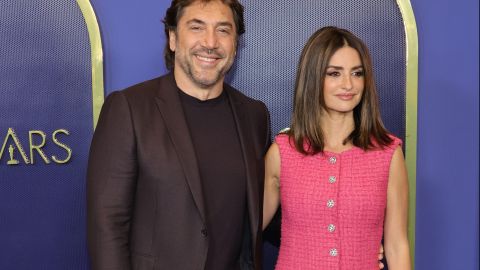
(175, 175)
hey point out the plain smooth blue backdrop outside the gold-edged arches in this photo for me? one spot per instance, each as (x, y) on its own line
(448, 95)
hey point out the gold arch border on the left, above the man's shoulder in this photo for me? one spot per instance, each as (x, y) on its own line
(96, 55)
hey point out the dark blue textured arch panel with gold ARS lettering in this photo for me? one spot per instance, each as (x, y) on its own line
(46, 110)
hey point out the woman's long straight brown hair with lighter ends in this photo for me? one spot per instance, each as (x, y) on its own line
(305, 129)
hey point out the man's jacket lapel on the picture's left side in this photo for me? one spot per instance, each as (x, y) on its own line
(168, 103)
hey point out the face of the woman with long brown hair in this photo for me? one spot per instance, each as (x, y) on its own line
(344, 81)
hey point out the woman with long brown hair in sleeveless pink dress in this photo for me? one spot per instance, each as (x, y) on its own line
(338, 174)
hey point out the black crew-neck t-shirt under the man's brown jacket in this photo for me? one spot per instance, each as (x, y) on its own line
(222, 171)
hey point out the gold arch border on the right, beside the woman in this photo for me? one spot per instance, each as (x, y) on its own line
(411, 36)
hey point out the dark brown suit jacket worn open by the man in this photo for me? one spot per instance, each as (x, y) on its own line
(145, 205)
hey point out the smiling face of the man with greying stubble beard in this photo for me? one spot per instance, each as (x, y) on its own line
(204, 44)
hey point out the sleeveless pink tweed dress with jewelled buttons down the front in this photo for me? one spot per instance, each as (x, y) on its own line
(333, 207)
